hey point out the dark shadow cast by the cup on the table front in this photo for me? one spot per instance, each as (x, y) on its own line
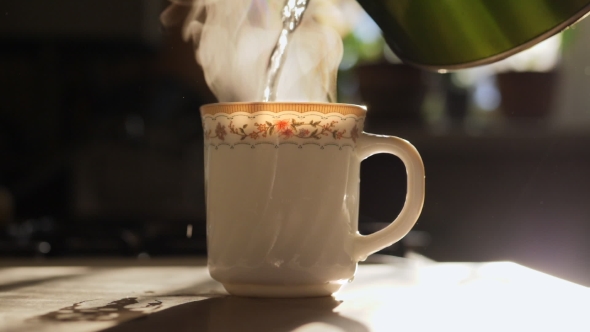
(230, 313)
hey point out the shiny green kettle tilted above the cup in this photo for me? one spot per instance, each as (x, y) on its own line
(456, 34)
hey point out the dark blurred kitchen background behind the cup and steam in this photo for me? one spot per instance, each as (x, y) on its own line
(101, 144)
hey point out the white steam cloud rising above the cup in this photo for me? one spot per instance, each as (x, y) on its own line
(233, 41)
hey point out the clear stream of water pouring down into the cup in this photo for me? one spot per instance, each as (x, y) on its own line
(292, 14)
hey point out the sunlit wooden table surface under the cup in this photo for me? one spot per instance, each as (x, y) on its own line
(178, 295)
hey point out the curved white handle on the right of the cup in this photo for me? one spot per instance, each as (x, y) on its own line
(369, 145)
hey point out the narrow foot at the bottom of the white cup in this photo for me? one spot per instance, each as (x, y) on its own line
(282, 291)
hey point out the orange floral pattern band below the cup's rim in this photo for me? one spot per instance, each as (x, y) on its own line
(321, 129)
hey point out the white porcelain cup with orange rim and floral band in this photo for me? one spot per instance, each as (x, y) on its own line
(282, 188)
